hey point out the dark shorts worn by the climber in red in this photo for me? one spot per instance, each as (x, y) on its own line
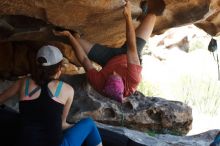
(102, 54)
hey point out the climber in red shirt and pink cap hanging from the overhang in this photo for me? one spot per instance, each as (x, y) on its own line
(121, 67)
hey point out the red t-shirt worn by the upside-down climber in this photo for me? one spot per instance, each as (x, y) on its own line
(130, 73)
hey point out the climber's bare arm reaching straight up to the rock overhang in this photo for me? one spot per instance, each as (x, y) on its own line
(130, 36)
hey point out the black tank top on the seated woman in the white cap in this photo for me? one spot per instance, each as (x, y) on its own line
(41, 120)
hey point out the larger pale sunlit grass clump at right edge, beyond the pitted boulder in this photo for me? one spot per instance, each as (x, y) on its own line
(202, 94)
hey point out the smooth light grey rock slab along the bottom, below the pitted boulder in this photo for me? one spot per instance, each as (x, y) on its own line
(144, 139)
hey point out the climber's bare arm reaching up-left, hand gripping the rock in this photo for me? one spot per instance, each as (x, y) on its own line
(80, 53)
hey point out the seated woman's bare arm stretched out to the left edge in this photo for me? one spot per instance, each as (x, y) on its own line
(11, 91)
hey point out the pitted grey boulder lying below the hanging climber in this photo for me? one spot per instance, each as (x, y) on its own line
(137, 112)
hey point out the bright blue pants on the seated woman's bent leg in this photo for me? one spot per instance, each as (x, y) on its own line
(84, 130)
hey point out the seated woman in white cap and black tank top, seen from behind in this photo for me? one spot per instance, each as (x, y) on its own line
(44, 104)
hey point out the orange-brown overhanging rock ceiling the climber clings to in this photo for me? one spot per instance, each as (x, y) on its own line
(100, 21)
